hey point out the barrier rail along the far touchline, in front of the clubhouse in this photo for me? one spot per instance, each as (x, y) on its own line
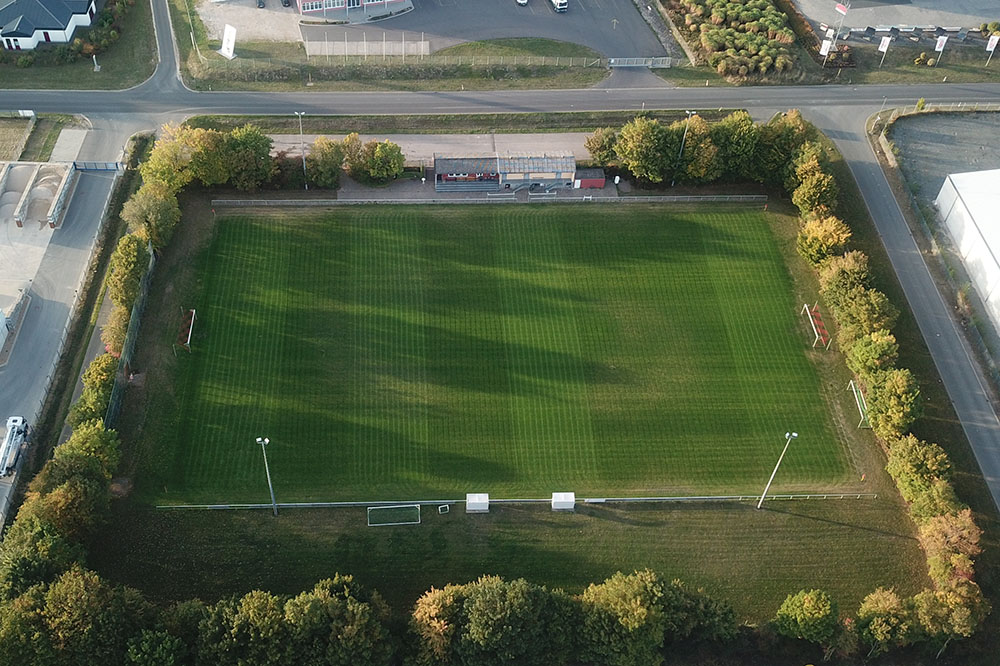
(324, 203)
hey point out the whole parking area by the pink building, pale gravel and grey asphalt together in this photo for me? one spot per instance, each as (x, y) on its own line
(612, 27)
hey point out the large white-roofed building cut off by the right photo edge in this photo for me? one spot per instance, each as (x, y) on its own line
(969, 206)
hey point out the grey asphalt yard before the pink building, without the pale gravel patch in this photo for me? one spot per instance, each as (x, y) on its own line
(611, 27)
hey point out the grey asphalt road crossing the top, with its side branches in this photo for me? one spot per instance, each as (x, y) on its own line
(840, 111)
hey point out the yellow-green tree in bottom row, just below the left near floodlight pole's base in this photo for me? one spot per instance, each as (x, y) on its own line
(250, 630)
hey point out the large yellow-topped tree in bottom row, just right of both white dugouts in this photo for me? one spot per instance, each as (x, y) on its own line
(623, 622)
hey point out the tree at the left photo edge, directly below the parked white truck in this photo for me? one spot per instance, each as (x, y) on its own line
(33, 552)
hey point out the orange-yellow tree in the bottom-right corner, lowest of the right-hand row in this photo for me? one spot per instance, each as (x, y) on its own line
(951, 612)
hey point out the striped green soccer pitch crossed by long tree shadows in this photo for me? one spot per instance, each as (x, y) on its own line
(425, 352)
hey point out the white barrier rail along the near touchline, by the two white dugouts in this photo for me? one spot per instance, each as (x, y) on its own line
(546, 500)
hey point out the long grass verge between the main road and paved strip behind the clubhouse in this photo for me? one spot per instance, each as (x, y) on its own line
(512, 123)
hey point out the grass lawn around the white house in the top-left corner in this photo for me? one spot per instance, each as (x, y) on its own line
(128, 62)
